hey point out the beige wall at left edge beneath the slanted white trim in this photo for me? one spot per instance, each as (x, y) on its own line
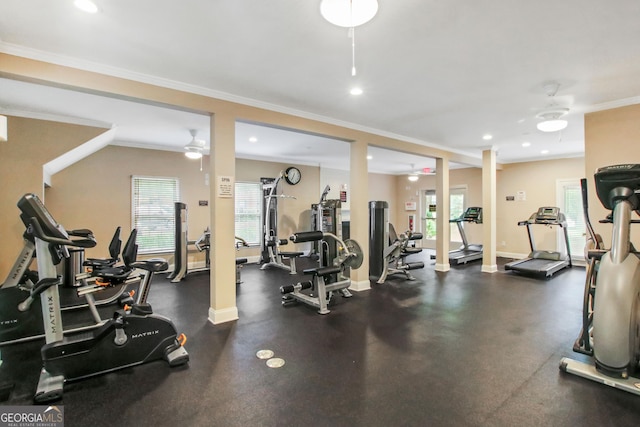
(32, 143)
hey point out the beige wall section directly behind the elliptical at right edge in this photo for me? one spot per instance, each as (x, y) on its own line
(611, 137)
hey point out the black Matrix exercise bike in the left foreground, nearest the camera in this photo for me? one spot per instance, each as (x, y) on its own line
(129, 338)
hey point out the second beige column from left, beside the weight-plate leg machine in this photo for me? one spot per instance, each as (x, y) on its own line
(359, 191)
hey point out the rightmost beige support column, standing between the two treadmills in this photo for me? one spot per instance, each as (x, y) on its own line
(489, 264)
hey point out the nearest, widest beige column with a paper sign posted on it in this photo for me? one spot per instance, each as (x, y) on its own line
(222, 211)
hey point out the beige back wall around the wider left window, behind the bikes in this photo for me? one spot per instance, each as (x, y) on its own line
(95, 193)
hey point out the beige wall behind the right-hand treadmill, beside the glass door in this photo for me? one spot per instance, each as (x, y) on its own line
(538, 181)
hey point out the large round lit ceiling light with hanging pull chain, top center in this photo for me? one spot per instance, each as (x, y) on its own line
(349, 14)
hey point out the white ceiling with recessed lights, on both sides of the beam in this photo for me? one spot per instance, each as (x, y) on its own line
(439, 73)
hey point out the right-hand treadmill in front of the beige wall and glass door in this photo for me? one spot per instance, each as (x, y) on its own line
(543, 263)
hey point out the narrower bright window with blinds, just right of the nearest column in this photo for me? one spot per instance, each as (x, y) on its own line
(249, 211)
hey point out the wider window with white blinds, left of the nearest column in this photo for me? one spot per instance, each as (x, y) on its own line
(153, 206)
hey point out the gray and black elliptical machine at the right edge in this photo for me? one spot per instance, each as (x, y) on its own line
(611, 318)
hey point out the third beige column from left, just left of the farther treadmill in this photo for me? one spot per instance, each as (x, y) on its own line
(443, 230)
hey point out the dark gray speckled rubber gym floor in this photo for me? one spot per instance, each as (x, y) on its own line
(462, 348)
